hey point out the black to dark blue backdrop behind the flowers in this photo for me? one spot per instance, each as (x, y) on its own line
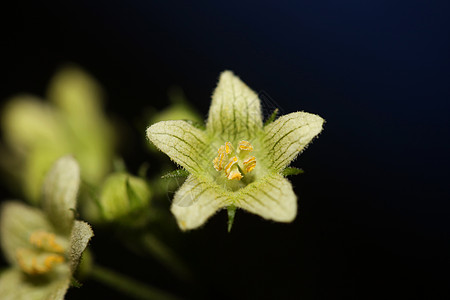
(374, 206)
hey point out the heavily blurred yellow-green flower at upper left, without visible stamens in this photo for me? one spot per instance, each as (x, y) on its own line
(36, 132)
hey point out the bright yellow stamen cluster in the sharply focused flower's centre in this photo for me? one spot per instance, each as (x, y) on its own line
(235, 163)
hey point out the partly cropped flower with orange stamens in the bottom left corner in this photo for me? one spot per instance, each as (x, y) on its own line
(44, 246)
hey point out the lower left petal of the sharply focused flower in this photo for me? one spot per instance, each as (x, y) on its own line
(196, 201)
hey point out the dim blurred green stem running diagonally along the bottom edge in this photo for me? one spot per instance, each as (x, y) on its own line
(128, 286)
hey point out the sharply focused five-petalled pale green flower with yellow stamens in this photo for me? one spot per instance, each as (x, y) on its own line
(237, 161)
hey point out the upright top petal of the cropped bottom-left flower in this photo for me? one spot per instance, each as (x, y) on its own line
(60, 192)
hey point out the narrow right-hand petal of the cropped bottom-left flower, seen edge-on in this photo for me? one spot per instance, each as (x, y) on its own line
(79, 239)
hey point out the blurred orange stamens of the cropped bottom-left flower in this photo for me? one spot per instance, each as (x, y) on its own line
(45, 252)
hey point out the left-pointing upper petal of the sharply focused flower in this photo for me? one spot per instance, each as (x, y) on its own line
(183, 143)
